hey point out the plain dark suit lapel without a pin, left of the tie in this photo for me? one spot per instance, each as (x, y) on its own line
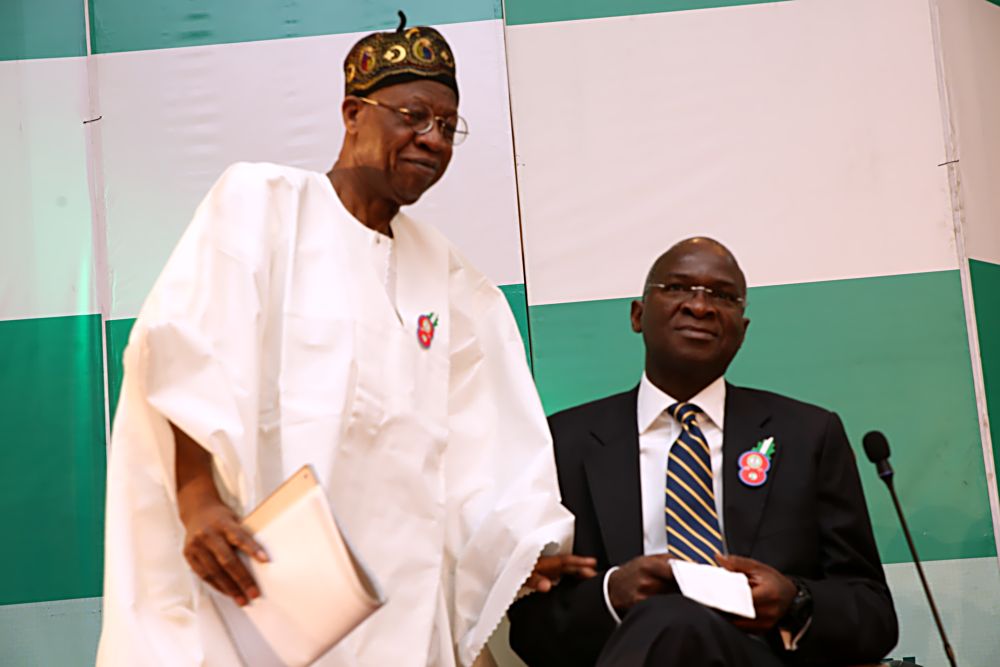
(613, 477)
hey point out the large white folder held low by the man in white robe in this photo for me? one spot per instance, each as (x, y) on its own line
(314, 590)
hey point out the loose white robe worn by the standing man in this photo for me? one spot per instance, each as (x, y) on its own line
(270, 339)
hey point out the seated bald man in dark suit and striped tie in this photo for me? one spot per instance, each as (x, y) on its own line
(687, 466)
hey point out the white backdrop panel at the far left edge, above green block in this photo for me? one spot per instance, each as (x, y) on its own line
(46, 259)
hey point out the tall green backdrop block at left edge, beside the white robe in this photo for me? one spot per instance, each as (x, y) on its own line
(52, 458)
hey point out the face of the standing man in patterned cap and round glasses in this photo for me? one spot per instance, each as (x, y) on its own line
(396, 161)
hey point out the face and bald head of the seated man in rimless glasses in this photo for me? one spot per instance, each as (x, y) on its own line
(692, 330)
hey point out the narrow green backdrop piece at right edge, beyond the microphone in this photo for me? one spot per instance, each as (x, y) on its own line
(986, 294)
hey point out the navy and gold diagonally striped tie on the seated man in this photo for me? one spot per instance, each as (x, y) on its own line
(692, 522)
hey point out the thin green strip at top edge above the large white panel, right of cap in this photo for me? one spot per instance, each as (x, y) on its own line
(548, 11)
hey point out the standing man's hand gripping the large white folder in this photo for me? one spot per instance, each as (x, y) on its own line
(214, 535)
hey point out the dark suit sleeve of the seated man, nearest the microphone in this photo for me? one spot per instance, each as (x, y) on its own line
(853, 616)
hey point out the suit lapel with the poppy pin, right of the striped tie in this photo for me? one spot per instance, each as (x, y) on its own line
(745, 422)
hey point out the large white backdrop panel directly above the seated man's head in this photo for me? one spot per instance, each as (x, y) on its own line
(806, 135)
